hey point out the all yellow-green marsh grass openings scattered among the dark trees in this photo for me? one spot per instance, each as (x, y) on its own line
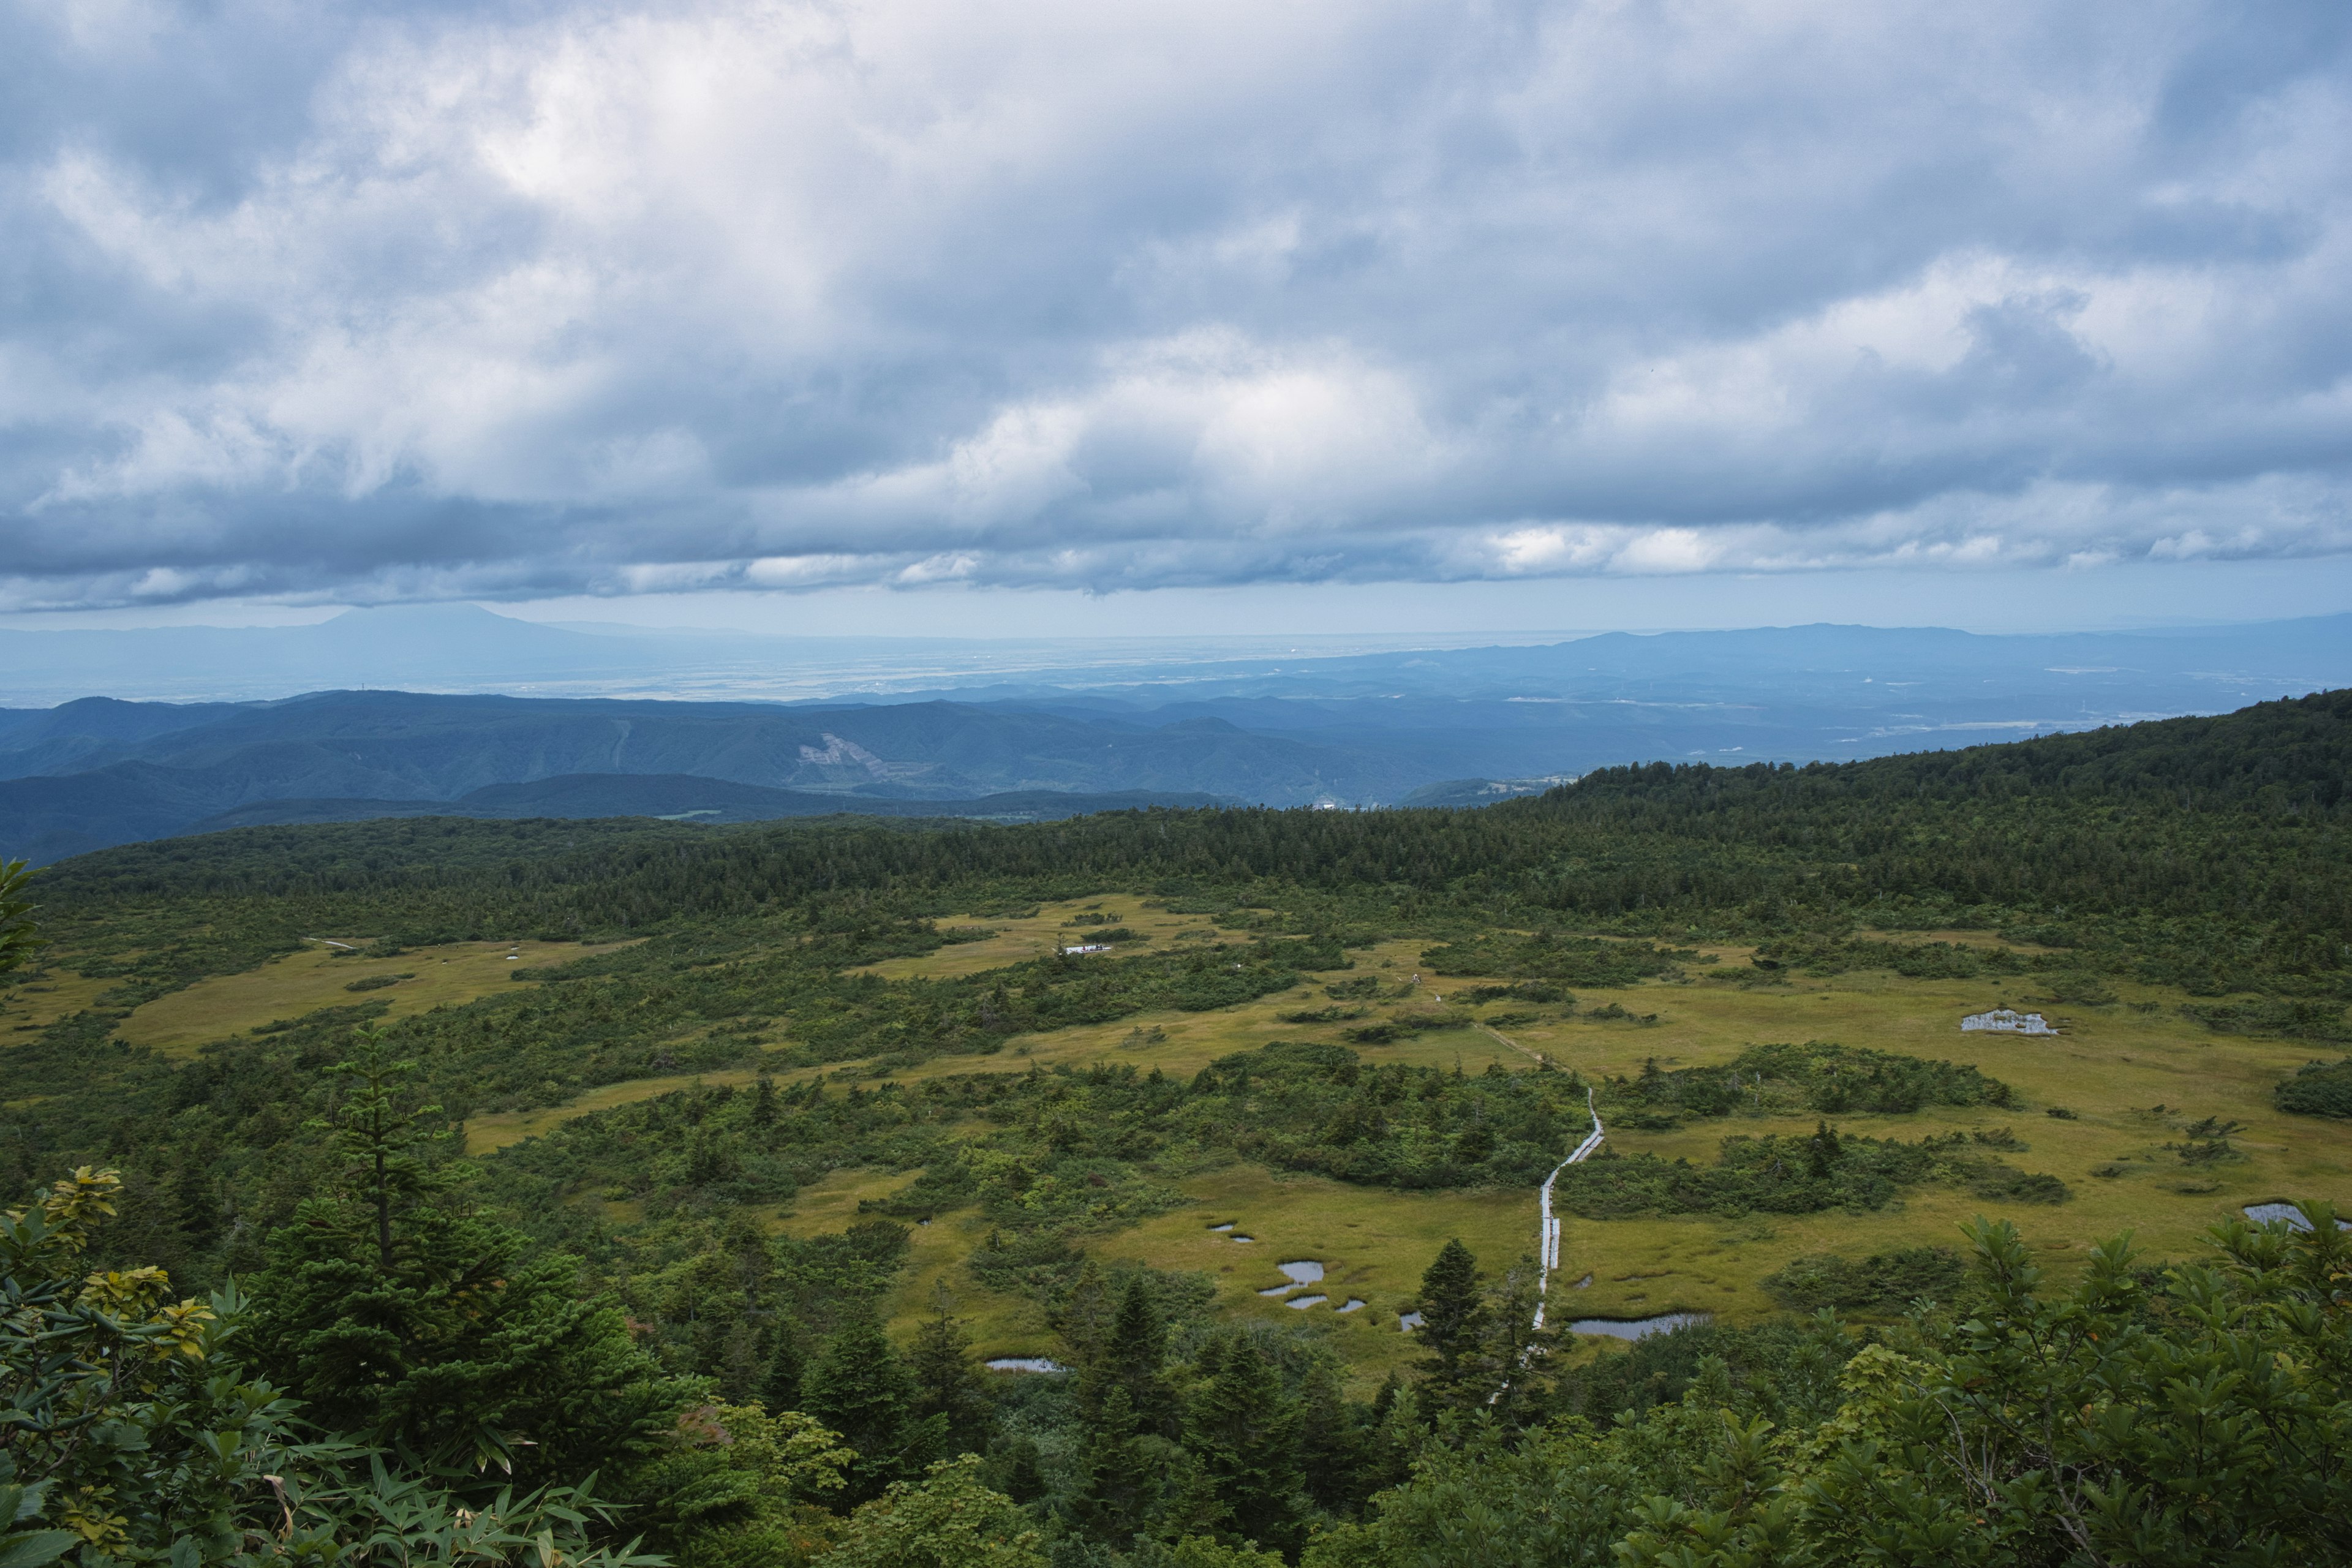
(2132, 1076)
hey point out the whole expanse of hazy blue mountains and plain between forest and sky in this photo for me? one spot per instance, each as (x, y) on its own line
(1041, 732)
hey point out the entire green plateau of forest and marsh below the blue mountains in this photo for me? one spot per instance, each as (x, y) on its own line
(1168, 1181)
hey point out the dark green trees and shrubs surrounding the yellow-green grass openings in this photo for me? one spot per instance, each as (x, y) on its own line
(258, 1306)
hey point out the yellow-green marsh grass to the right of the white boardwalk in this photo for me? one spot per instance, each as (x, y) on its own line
(2111, 1068)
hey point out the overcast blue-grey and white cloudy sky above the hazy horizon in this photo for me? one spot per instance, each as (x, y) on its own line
(1297, 304)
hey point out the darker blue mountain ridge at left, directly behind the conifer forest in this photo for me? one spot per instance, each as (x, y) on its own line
(380, 753)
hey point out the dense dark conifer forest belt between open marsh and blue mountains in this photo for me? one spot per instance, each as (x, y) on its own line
(2196, 847)
